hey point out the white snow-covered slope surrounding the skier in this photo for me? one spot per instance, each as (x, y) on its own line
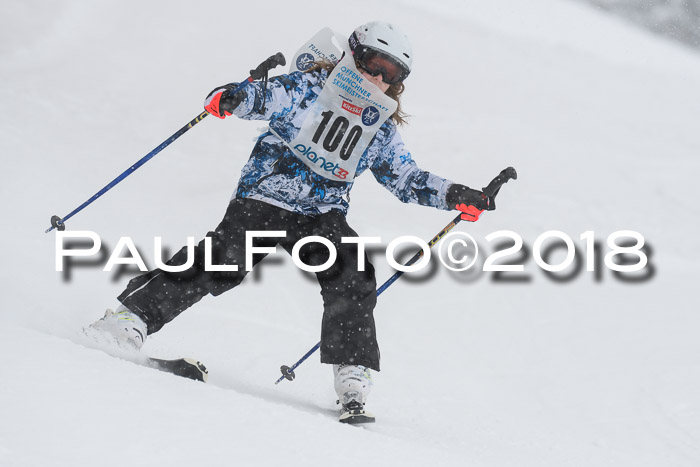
(599, 118)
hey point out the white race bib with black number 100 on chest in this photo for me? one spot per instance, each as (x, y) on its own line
(342, 122)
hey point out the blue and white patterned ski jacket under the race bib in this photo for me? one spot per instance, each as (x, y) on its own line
(273, 173)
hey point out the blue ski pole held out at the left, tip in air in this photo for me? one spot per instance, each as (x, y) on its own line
(58, 223)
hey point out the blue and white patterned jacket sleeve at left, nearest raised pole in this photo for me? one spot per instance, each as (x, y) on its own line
(280, 96)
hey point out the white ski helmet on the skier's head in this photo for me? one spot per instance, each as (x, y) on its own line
(386, 40)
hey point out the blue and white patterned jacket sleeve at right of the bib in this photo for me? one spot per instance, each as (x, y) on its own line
(395, 169)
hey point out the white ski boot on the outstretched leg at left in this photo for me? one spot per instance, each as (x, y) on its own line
(123, 328)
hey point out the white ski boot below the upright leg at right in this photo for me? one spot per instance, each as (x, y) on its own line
(353, 384)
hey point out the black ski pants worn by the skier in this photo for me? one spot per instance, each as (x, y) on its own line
(348, 332)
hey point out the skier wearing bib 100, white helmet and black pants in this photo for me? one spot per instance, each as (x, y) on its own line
(287, 186)
